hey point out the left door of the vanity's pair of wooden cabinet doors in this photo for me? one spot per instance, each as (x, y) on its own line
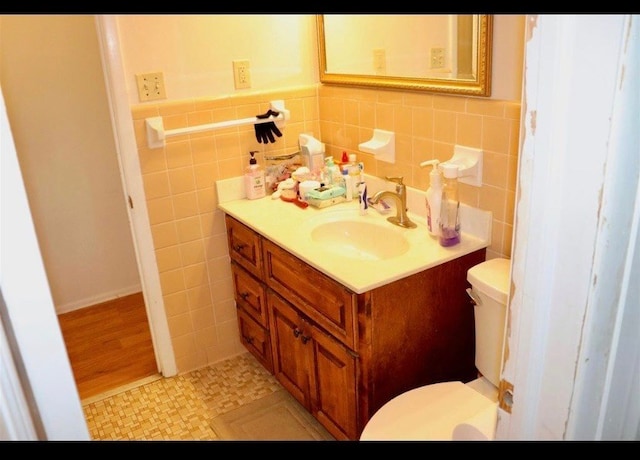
(290, 347)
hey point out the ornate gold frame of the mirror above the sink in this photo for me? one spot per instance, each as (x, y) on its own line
(480, 86)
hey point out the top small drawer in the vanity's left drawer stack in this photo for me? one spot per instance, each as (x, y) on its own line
(244, 246)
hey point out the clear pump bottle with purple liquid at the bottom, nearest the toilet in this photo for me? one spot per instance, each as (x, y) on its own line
(449, 207)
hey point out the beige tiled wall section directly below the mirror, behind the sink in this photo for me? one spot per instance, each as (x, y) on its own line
(427, 127)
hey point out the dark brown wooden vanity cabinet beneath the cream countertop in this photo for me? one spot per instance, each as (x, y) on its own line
(343, 355)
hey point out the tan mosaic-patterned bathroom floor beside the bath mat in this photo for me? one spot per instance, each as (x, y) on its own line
(180, 407)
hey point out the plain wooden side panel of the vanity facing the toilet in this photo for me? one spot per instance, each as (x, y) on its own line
(416, 331)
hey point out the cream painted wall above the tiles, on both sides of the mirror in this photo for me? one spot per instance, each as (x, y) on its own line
(195, 54)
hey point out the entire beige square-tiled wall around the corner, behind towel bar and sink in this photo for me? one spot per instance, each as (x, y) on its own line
(179, 181)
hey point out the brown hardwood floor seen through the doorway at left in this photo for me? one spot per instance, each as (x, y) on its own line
(109, 344)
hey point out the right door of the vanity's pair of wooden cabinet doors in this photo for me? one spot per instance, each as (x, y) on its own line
(333, 385)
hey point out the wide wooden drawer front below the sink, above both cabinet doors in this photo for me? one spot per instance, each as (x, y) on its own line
(329, 304)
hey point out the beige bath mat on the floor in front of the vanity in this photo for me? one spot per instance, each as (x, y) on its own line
(276, 417)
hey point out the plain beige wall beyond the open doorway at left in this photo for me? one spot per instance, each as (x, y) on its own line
(57, 103)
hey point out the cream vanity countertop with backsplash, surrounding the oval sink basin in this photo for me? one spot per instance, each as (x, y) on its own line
(283, 223)
